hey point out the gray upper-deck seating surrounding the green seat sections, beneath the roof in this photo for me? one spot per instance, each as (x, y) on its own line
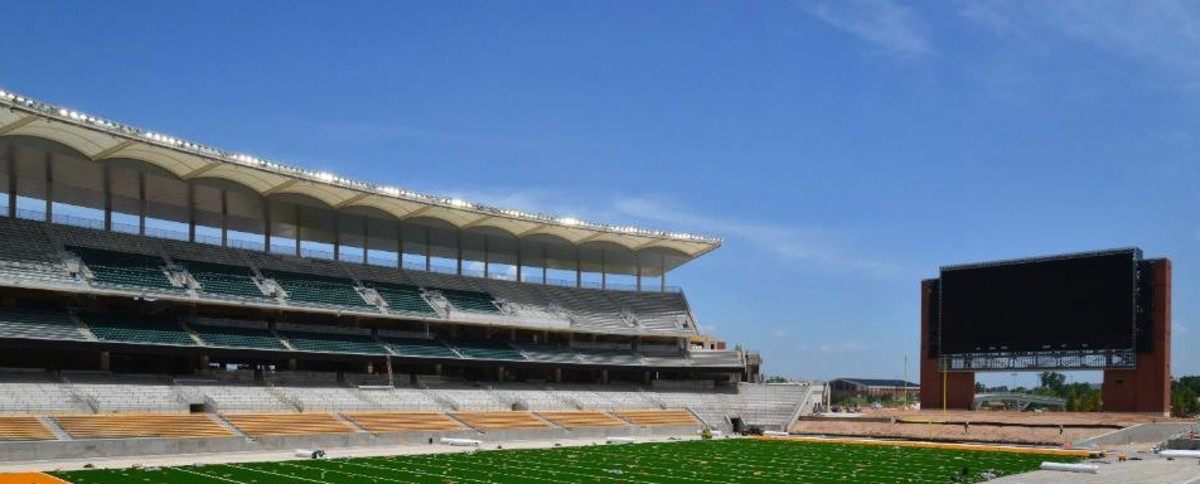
(35, 252)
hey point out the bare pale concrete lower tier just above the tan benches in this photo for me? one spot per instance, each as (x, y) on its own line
(26, 392)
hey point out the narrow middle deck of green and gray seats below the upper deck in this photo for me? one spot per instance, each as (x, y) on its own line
(62, 325)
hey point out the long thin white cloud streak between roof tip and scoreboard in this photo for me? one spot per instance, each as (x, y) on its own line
(788, 242)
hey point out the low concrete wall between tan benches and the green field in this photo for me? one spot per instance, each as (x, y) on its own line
(131, 447)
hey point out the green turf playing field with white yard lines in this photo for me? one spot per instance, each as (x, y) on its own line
(686, 463)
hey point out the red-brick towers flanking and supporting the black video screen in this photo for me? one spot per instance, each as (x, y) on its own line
(1145, 389)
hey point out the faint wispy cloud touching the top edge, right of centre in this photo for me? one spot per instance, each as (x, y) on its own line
(886, 25)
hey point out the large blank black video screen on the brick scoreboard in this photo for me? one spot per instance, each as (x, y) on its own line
(1077, 302)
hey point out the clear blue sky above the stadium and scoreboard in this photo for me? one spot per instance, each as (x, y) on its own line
(844, 150)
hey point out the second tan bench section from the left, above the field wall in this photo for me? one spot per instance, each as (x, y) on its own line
(169, 426)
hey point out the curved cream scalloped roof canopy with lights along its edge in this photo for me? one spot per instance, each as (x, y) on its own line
(104, 141)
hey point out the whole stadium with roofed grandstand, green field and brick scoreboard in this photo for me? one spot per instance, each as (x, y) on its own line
(183, 314)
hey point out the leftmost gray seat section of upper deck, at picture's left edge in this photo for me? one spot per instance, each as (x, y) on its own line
(27, 254)
